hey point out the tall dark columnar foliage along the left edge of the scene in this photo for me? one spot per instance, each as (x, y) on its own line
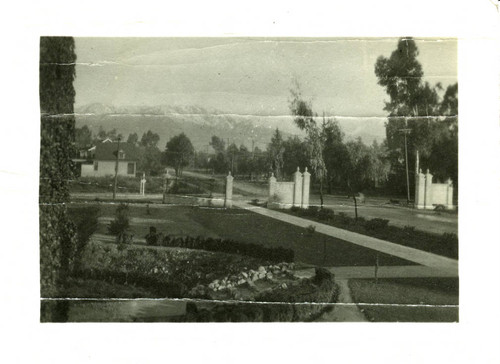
(57, 236)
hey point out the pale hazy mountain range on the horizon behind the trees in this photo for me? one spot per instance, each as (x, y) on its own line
(200, 124)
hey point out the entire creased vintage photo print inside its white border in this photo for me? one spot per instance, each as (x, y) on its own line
(248, 179)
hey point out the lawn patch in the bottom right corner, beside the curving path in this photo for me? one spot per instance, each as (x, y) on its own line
(405, 292)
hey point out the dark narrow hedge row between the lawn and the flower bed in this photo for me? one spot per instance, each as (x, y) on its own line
(275, 255)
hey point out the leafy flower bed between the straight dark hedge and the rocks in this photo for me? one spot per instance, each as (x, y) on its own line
(170, 273)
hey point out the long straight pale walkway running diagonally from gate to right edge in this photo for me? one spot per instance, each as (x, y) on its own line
(448, 265)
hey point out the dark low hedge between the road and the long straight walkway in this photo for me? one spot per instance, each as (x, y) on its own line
(445, 244)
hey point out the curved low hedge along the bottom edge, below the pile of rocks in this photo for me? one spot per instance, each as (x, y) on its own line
(291, 304)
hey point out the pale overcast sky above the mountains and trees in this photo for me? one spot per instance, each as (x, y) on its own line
(247, 76)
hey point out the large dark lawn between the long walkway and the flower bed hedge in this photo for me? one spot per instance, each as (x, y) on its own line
(247, 227)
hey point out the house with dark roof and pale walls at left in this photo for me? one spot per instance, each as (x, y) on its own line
(105, 160)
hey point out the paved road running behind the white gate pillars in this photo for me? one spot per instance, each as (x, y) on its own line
(375, 207)
